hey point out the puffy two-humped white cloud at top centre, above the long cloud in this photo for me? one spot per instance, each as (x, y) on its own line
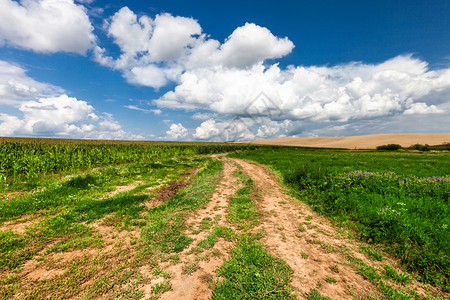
(156, 51)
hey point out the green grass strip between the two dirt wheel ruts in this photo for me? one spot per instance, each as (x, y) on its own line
(251, 273)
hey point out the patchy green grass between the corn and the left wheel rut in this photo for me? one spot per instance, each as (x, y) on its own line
(65, 210)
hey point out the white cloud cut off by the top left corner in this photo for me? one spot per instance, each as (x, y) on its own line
(46, 26)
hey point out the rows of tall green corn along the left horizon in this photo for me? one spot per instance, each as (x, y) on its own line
(30, 159)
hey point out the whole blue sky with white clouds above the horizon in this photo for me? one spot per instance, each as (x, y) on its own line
(223, 70)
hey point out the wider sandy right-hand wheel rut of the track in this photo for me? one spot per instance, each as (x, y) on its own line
(281, 222)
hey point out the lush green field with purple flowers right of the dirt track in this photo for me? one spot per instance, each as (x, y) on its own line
(397, 199)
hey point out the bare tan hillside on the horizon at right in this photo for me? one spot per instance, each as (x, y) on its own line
(362, 141)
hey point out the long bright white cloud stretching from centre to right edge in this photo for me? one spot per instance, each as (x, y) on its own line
(325, 94)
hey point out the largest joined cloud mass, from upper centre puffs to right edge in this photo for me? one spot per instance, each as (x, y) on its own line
(226, 78)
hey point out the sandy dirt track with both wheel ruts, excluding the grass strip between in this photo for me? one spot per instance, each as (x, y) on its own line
(307, 242)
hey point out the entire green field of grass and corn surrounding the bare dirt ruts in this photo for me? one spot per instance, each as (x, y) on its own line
(61, 198)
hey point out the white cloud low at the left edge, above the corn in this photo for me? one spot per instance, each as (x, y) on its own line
(44, 110)
